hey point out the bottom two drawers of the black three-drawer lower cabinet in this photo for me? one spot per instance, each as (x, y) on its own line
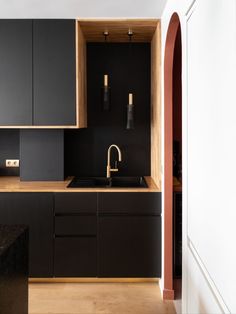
(75, 246)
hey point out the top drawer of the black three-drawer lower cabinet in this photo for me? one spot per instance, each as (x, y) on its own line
(69, 203)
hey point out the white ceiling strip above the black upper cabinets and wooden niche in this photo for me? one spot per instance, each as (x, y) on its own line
(81, 8)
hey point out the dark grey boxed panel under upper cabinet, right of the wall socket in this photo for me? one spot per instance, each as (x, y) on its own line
(42, 155)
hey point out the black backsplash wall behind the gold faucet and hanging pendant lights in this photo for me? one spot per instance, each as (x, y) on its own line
(129, 71)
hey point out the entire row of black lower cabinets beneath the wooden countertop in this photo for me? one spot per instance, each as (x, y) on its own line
(88, 234)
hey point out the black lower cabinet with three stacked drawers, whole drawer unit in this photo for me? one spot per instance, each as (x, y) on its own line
(75, 246)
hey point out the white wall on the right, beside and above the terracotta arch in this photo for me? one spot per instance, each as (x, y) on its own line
(209, 153)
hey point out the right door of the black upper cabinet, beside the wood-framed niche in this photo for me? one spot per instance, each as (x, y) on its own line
(54, 72)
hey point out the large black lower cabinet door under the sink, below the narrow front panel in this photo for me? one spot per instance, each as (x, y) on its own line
(129, 246)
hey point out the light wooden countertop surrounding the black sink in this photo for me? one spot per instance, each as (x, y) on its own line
(13, 184)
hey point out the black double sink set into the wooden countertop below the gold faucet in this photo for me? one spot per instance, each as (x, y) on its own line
(113, 182)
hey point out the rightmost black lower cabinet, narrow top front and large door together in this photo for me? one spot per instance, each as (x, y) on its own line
(129, 234)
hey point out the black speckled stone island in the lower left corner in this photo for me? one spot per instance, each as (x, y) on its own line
(13, 269)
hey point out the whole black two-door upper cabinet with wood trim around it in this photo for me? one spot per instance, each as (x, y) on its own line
(37, 73)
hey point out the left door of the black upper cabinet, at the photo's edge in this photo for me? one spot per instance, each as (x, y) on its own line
(16, 72)
